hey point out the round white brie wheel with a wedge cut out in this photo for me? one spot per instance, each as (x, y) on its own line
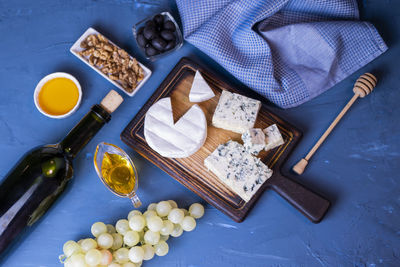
(178, 140)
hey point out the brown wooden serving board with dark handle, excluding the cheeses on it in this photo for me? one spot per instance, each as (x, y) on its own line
(191, 171)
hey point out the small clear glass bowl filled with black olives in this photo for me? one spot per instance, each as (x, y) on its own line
(158, 35)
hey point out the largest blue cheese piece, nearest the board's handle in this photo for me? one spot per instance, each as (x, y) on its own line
(239, 170)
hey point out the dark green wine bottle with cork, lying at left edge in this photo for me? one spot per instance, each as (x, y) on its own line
(35, 182)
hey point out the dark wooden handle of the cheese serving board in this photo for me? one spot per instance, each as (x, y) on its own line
(309, 203)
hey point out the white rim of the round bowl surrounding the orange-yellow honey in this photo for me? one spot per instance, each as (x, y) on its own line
(48, 78)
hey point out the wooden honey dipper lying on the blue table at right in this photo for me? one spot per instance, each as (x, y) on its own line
(363, 86)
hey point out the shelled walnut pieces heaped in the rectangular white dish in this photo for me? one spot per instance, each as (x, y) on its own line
(112, 61)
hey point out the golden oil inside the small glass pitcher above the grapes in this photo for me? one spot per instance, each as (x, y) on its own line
(118, 173)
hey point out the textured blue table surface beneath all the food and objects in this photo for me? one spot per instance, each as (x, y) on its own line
(357, 168)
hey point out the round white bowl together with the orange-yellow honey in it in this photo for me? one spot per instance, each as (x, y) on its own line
(58, 95)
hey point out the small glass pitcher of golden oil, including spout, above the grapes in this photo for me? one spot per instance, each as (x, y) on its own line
(117, 171)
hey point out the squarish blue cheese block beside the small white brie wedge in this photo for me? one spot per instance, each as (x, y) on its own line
(235, 112)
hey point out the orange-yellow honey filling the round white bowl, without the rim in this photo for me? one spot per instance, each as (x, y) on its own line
(58, 96)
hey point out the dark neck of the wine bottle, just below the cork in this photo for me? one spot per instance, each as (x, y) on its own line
(84, 131)
